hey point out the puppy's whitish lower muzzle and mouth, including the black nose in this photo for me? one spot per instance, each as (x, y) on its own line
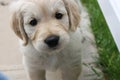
(52, 44)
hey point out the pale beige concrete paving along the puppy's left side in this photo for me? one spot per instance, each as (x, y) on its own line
(10, 56)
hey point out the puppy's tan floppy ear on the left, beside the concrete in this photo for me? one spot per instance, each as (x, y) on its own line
(16, 23)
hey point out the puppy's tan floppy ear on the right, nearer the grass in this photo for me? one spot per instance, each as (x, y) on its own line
(73, 13)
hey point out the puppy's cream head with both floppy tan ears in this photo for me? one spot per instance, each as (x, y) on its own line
(45, 23)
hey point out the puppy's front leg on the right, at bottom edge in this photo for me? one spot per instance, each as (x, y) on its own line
(71, 74)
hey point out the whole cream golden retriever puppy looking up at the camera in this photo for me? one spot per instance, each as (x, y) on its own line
(54, 36)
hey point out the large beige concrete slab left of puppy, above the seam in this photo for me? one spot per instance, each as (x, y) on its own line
(9, 50)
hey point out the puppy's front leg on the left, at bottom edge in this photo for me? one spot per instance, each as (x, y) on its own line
(36, 74)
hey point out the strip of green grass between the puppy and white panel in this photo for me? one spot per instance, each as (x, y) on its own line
(109, 55)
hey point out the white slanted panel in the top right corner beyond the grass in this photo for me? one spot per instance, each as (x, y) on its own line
(111, 11)
